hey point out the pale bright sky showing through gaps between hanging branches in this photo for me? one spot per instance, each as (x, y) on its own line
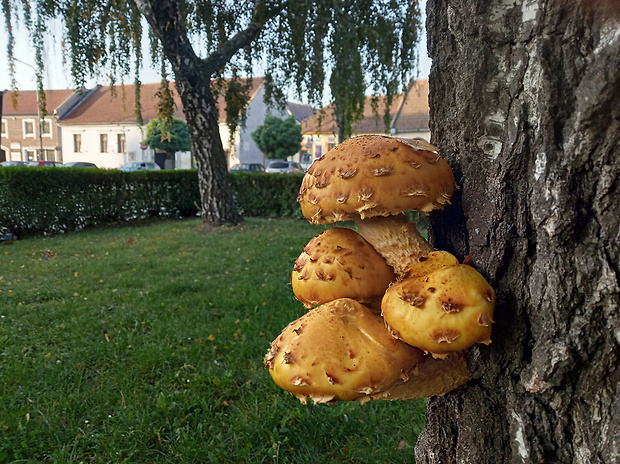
(58, 76)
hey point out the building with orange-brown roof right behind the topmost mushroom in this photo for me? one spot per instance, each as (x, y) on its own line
(409, 115)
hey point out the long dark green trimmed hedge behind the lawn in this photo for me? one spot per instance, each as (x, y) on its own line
(49, 200)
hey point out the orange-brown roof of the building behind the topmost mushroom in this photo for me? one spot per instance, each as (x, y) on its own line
(409, 112)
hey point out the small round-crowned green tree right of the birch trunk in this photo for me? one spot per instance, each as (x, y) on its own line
(278, 138)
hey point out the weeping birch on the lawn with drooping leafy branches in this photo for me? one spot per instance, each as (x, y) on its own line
(300, 41)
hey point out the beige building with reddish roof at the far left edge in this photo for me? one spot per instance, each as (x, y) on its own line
(27, 135)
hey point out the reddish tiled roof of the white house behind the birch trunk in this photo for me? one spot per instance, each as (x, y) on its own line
(105, 105)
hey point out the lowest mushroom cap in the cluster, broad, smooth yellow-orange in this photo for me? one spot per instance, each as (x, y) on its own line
(339, 351)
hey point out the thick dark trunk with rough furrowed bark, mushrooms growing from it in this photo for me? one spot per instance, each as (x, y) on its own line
(525, 106)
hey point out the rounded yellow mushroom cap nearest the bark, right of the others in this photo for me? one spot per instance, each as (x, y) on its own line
(441, 307)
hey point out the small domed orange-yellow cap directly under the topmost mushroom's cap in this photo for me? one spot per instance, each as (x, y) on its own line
(340, 263)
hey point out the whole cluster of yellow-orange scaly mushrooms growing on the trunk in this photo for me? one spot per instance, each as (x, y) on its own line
(389, 317)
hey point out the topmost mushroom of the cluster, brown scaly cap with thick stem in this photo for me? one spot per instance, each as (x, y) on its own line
(374, 179)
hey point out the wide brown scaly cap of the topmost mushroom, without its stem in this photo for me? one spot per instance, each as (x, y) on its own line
(374, 175)
